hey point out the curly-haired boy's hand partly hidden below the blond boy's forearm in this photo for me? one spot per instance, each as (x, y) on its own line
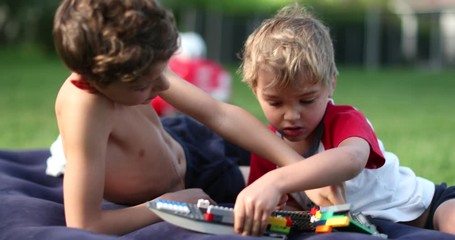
(328, 196)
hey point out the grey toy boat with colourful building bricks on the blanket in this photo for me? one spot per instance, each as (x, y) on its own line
(213, 219)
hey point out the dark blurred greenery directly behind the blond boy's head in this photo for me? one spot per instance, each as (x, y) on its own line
(226, 23)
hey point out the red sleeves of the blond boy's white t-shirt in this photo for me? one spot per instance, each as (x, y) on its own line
(340, 122)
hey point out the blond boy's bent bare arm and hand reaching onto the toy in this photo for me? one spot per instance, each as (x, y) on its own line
(334, 166)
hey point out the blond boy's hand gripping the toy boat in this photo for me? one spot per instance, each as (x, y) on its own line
(253, 208)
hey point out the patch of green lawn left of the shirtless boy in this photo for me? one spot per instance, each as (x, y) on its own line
(28, 86)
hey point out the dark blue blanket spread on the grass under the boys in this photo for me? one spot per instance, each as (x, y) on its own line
(31, 207)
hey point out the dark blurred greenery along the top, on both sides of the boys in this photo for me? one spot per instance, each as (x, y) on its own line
(365, 32)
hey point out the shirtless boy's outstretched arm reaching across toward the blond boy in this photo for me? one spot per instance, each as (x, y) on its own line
(230, 122)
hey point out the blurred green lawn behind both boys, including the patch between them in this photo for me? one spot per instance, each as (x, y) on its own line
(411, 109)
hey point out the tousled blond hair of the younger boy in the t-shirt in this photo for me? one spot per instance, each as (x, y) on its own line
(291, 42)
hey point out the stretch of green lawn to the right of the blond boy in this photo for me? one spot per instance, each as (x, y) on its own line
(412, 112)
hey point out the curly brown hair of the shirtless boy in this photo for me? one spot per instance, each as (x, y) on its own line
(113, 40)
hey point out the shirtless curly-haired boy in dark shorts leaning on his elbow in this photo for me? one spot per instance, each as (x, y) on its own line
(115, 144)
